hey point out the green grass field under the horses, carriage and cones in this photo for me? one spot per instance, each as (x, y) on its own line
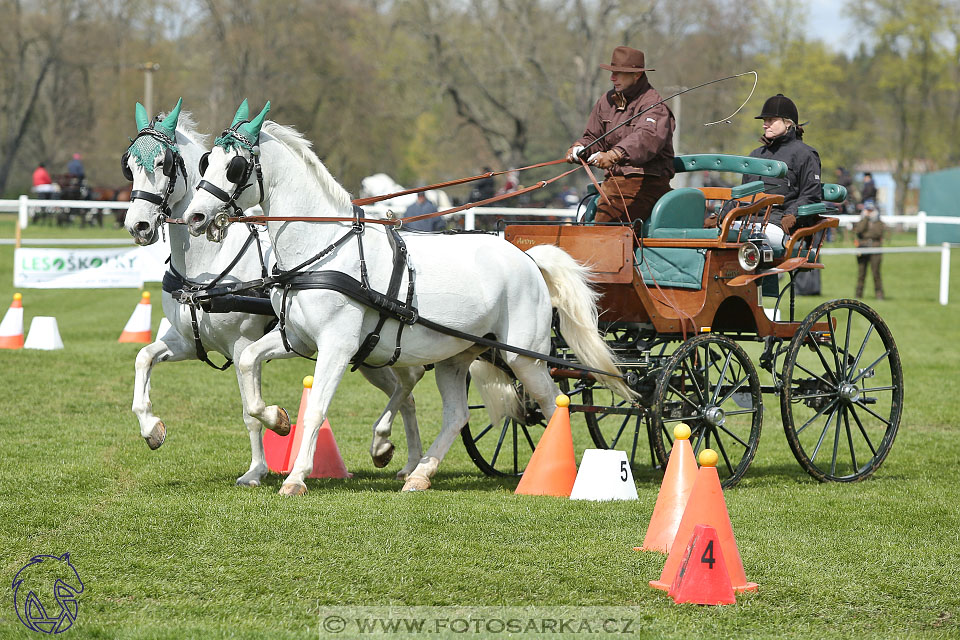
(168, 547)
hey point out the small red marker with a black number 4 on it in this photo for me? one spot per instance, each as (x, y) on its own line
(703, 577)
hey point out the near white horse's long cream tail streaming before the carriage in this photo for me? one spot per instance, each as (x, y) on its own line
(576, 303)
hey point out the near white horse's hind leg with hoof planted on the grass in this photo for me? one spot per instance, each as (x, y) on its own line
(451, 377)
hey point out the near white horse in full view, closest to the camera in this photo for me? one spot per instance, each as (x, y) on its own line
(477, 284)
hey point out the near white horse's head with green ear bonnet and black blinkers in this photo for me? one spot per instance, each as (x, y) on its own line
(232, 178)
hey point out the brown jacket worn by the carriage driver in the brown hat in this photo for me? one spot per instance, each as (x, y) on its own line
(647, 141)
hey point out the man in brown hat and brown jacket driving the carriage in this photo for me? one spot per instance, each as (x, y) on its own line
(638, 157)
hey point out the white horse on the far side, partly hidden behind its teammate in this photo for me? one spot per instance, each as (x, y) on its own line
(199, 260)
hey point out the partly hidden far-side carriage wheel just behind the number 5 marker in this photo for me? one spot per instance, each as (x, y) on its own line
(614, 423)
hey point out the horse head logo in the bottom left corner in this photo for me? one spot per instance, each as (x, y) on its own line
(43, 581)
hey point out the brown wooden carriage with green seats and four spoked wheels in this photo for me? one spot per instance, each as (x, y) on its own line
(682, 305)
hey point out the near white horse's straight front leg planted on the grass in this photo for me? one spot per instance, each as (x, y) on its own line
(332, 363)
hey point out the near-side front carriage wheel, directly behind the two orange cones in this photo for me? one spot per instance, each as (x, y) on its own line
(710, 384)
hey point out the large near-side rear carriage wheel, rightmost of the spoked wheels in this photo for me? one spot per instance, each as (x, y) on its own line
(842, 391)
